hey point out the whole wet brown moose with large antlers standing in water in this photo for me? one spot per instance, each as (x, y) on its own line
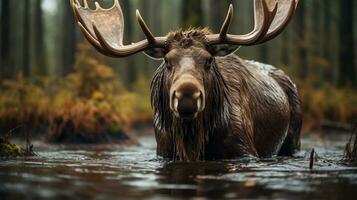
(208, 103)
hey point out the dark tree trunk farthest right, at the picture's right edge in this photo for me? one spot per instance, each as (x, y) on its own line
(346, 55)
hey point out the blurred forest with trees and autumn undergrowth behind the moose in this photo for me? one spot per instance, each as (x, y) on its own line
(53, 81)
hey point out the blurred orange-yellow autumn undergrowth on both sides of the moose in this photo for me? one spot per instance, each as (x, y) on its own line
(92, 105)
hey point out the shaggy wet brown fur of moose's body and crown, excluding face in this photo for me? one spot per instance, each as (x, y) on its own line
(252, 109)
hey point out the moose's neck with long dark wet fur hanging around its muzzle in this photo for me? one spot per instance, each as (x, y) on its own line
(190, 137)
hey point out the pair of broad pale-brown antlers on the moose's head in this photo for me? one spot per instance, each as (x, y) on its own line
(104, 28)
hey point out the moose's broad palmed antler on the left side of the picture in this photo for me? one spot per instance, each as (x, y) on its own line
(104, 29)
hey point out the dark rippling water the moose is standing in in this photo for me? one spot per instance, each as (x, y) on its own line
(62, 172)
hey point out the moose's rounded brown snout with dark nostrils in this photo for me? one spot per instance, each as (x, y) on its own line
(187, 100)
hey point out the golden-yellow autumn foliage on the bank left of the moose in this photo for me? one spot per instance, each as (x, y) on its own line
(89, 101)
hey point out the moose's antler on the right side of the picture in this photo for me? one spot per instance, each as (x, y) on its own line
(268, 24)
